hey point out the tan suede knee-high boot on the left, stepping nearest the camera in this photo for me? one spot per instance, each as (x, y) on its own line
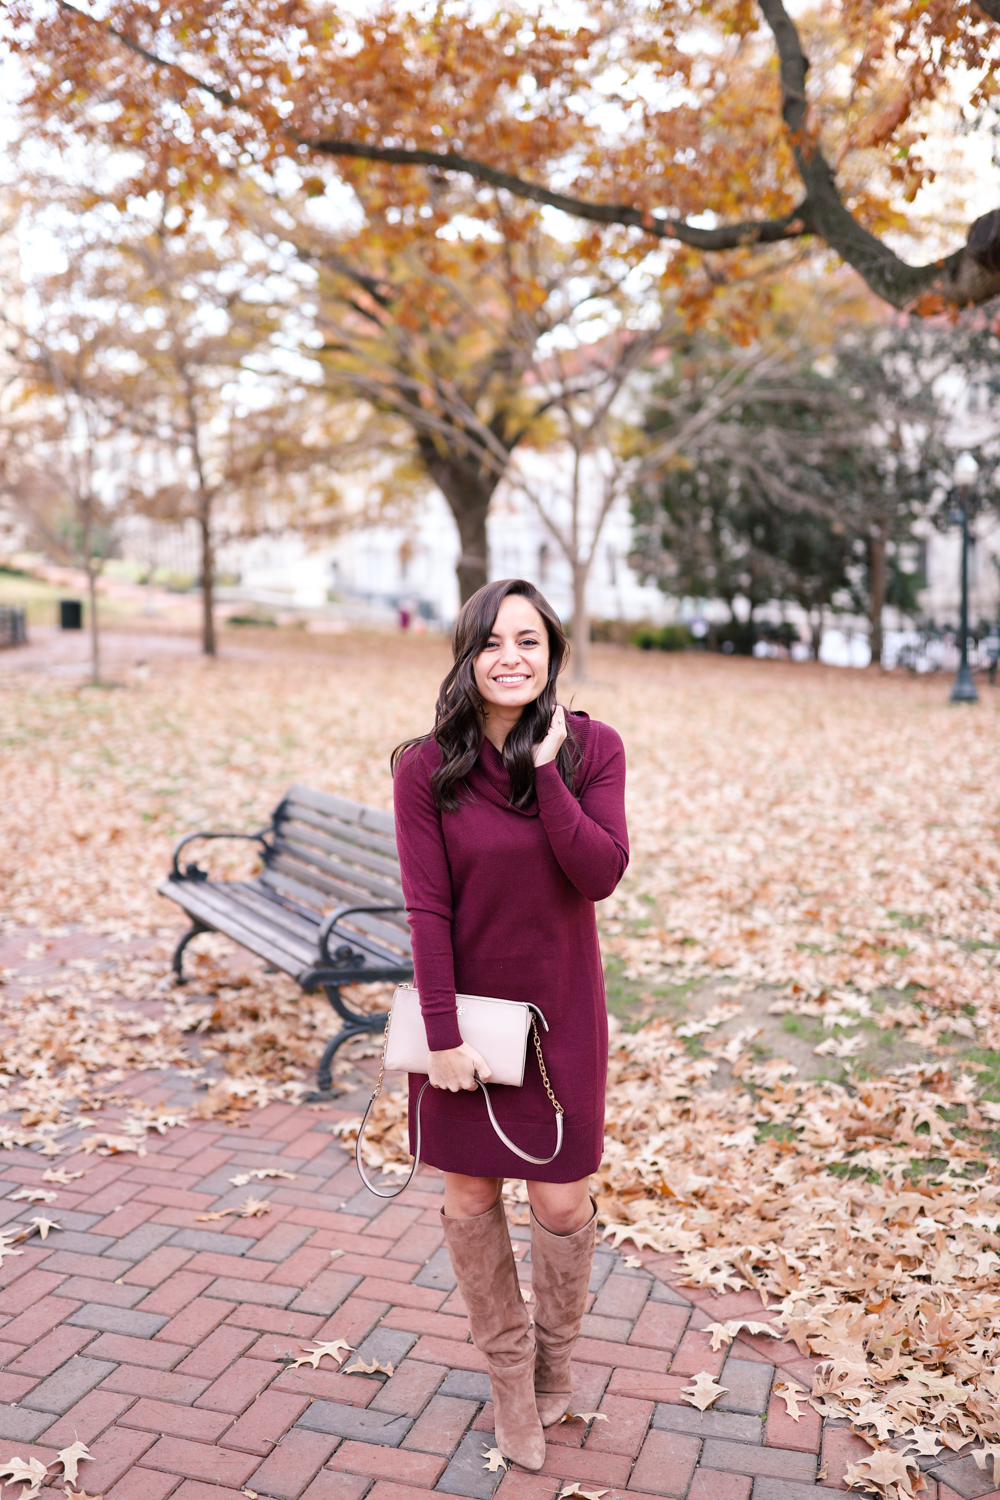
(488, 1280)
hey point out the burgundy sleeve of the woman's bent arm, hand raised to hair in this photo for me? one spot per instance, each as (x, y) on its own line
(588, 838)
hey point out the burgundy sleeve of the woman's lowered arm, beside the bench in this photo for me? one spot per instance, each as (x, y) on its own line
(427, 878)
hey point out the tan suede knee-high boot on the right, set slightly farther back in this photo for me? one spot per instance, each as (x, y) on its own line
(560, 1279)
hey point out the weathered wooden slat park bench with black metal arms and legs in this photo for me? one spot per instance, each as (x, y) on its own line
(326, 907)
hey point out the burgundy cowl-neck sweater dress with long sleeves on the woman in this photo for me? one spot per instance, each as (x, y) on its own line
(501, 902)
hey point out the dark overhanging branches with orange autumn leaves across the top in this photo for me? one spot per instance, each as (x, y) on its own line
(644, 121)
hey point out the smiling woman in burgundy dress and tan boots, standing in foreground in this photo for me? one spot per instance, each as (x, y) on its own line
(510, 824)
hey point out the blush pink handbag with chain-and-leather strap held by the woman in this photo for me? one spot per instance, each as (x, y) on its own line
(499, 1030)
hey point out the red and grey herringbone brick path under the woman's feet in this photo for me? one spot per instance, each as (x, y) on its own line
(166, 1343)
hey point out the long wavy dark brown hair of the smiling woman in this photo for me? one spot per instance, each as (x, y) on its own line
(460, 710)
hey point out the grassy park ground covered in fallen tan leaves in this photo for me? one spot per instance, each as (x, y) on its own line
(816, 844)
